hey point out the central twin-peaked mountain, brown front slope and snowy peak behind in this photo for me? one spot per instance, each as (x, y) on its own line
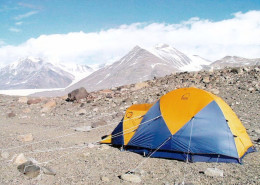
(140, 65)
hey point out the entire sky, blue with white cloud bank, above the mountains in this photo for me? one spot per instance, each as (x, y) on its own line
(100, 31)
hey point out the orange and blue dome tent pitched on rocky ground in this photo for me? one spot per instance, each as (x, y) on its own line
(185, 124)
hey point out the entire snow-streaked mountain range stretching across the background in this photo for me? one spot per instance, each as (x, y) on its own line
(137, 65)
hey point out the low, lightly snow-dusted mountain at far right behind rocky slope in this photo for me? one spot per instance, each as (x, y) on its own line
(234, 61)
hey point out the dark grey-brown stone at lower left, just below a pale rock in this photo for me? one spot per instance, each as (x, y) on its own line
(29, 169)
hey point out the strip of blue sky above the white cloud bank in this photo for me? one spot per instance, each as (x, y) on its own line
(23, 19)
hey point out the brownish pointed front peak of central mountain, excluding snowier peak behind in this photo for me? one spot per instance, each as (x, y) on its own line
(136, 66)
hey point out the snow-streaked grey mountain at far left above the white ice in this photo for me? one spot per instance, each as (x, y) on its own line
(34, 73)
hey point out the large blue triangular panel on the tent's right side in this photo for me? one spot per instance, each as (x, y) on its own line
(209, 122)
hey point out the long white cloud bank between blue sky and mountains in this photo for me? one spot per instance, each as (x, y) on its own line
(212, 40)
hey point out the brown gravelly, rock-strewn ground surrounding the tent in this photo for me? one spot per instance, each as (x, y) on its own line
(43, 130)
